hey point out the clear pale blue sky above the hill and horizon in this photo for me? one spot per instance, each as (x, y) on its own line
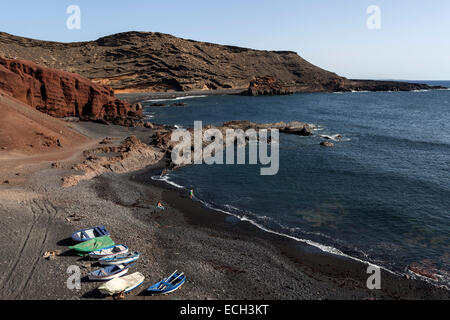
(412, 43)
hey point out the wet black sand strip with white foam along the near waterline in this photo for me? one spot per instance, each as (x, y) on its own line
(308, 257)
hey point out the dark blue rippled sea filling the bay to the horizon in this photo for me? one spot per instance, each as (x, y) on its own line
(381, 194)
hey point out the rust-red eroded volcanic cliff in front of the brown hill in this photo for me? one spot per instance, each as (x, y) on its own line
(63, 94)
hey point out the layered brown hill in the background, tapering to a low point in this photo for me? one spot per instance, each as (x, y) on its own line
(147, 61)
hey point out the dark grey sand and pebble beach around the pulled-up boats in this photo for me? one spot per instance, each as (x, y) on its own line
(222, 257)
